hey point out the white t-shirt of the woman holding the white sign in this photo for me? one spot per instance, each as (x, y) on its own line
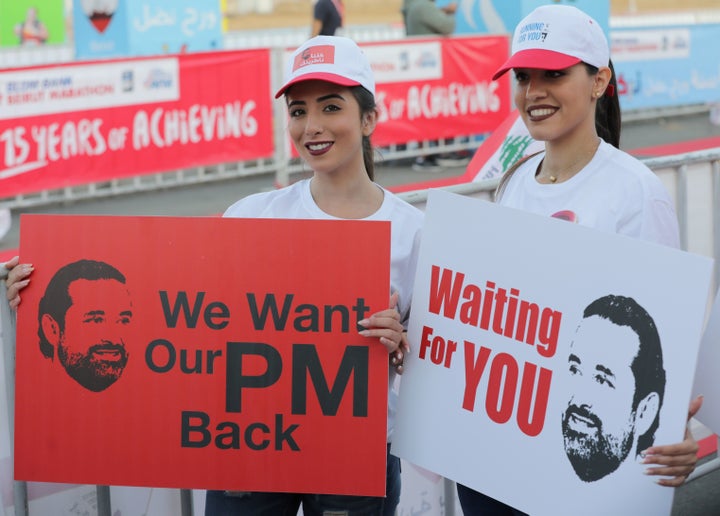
(614, 192)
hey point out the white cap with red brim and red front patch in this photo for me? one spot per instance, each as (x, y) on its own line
(334, 59)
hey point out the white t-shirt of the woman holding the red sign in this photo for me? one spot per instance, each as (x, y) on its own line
(296, 202)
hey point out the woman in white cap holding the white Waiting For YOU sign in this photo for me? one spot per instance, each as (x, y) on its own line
(564, 89)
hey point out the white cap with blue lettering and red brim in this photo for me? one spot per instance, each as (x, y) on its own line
(554, 37)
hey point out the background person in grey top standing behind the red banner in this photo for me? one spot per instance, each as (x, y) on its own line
(425, 18)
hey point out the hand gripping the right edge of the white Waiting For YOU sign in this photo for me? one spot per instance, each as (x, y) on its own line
(676, 461)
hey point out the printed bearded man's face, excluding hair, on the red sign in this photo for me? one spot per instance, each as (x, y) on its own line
(91, 346)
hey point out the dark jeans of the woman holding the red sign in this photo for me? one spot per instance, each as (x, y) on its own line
(221, 503)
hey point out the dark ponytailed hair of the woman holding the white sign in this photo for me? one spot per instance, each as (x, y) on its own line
(608, 123)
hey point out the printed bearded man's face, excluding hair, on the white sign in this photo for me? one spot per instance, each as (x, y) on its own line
(599, 422)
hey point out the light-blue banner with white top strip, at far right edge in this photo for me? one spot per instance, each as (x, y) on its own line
(666, 66)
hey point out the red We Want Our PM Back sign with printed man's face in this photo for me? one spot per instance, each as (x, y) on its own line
(152, 353)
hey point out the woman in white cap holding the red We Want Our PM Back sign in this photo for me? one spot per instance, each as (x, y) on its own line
(330, 95)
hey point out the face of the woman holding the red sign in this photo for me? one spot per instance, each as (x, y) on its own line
(326, 126)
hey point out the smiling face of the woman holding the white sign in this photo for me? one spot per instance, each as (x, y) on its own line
(558, 105)
